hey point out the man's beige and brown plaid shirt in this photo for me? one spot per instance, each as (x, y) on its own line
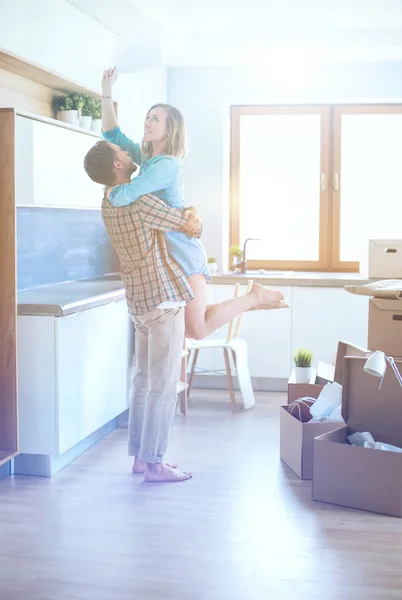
(149, 274)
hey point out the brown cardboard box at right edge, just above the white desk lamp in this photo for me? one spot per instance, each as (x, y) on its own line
(385, 326)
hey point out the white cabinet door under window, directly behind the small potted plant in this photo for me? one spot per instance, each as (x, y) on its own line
(323, 316)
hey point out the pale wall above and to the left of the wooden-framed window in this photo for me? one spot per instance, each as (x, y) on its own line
(205, 95)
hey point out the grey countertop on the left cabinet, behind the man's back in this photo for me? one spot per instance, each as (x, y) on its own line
(63, 299)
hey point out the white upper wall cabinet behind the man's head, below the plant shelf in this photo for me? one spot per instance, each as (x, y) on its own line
(49, 167)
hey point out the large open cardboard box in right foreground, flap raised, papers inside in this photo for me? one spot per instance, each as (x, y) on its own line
(363, 478)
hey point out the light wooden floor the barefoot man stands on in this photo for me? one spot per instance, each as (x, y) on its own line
(245, 528)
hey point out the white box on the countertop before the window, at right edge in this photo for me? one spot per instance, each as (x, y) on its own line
(382, 259)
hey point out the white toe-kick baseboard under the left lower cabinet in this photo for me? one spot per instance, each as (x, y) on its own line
(46, 466)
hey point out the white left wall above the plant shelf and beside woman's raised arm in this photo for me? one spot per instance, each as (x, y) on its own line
(61, 38)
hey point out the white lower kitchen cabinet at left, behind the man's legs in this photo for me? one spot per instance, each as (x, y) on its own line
(73, 377)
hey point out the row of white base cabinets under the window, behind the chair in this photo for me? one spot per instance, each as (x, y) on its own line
(317, 319)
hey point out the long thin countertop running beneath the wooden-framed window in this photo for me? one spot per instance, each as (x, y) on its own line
(293, 278)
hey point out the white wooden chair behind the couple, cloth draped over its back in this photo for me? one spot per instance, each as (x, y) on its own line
(233, 347)
